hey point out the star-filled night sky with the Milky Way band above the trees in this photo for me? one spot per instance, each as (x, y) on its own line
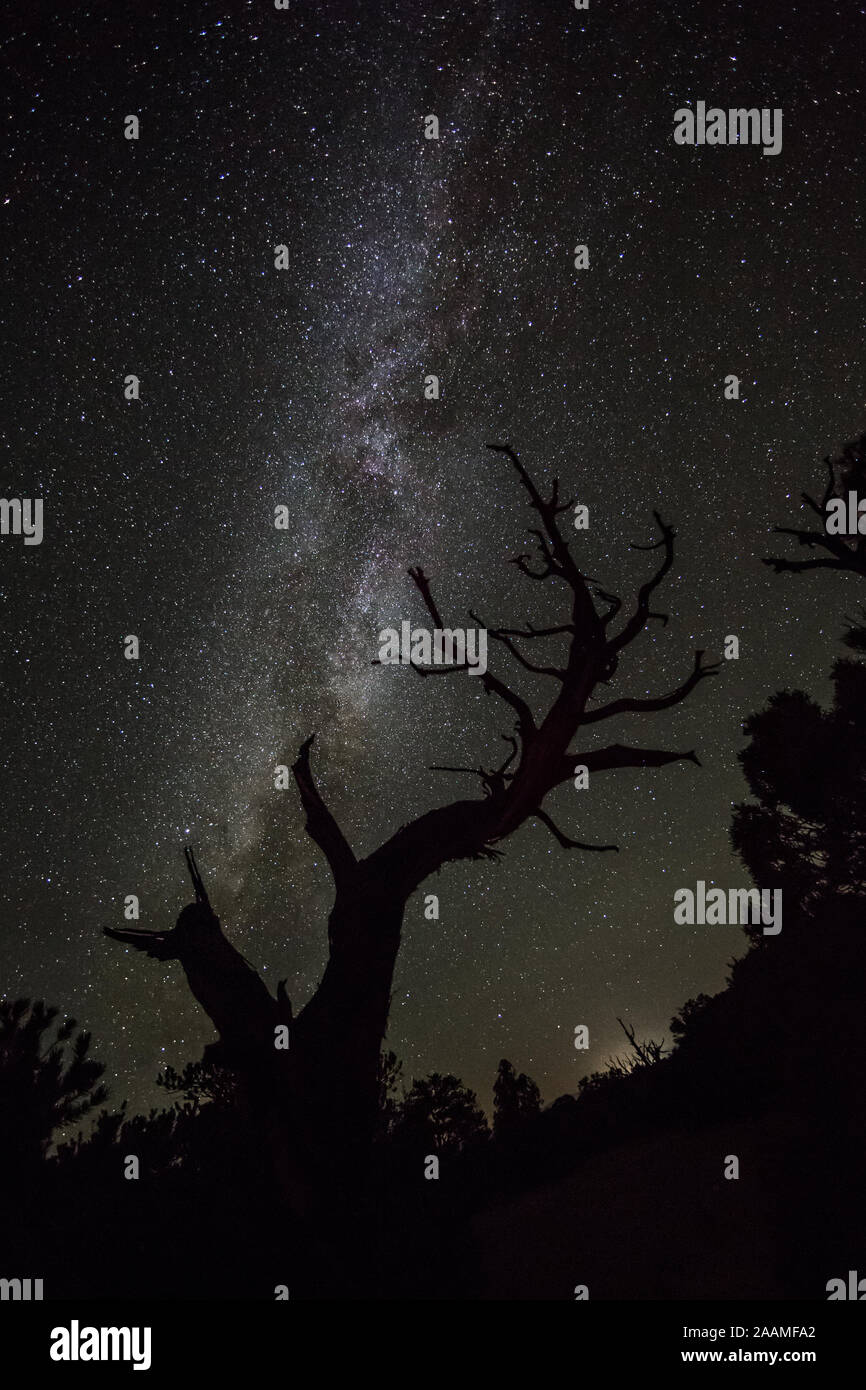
(304, 389)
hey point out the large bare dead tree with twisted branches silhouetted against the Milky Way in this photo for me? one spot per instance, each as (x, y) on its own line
(332, 1071)
